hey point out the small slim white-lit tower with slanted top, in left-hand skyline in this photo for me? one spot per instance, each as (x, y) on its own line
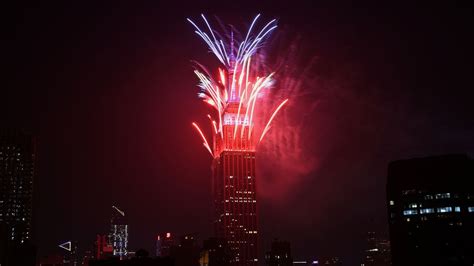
(118, 237)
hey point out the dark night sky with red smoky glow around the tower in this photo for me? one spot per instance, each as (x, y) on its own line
(108, 90)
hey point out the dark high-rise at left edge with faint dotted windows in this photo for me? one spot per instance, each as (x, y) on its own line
(17, 170)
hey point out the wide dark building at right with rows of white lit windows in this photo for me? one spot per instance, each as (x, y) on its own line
(431, 211)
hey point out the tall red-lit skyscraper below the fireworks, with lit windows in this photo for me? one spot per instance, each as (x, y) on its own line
(234, 187)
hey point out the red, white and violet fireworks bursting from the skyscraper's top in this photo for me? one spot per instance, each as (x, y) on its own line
(234, 93)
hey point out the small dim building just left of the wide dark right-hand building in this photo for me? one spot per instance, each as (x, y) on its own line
(377, 252)
